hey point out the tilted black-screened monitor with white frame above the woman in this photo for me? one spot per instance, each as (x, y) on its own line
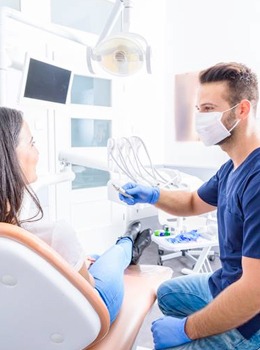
(45, 81)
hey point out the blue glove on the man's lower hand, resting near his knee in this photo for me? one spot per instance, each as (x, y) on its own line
(168, 332)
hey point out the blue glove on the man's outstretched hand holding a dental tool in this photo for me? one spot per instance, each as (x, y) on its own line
(140, 194)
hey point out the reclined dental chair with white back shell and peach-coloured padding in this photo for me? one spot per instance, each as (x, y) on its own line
(46, 305)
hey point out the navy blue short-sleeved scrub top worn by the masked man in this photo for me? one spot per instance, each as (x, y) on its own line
(236, 194)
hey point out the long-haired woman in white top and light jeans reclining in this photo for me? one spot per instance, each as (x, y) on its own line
(18, 161)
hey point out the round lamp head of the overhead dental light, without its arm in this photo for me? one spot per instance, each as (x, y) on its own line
(122, 54)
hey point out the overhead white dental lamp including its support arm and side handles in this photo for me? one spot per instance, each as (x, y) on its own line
(124, 53)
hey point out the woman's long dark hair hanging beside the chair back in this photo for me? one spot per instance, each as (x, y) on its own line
(13, 185)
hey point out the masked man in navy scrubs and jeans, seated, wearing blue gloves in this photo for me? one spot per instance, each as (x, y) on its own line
(219, 310)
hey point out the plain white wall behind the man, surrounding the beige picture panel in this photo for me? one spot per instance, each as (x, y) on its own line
(199, 34)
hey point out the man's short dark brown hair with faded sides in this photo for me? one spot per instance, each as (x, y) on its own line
(241, 81)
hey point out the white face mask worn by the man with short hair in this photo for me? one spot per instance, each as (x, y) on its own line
(210, 128)
